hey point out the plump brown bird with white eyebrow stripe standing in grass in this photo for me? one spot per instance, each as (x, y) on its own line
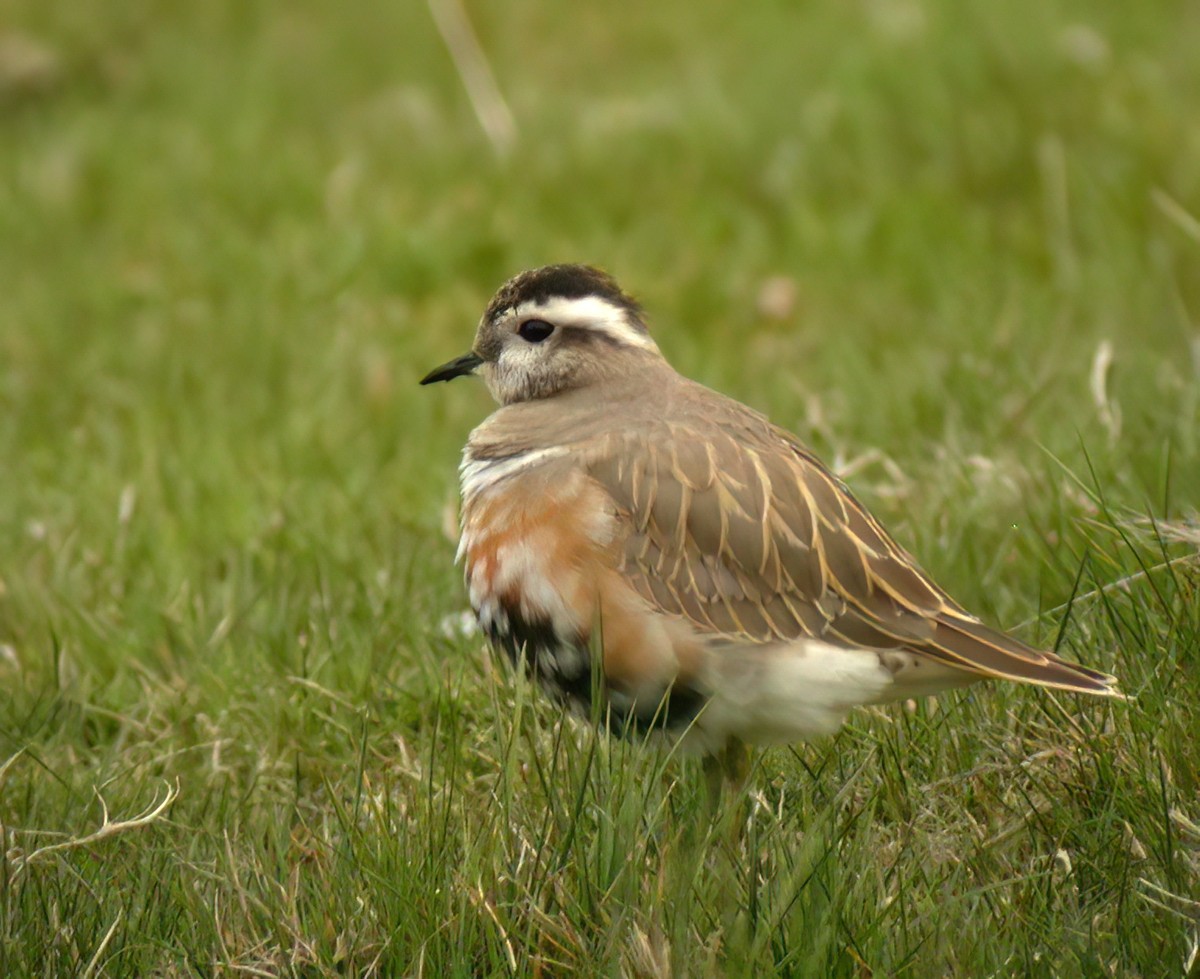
(663, 557)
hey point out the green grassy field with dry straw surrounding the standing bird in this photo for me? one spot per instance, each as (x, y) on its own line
(239, 734)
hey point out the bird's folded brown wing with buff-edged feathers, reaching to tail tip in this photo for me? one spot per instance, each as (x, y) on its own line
(741, 531)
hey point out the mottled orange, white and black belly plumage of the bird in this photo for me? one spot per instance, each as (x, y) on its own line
(541, 563)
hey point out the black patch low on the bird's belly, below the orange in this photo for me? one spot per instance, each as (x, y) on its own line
(563, 668)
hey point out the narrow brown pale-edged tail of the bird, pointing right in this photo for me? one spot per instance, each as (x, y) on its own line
(970, 645)
